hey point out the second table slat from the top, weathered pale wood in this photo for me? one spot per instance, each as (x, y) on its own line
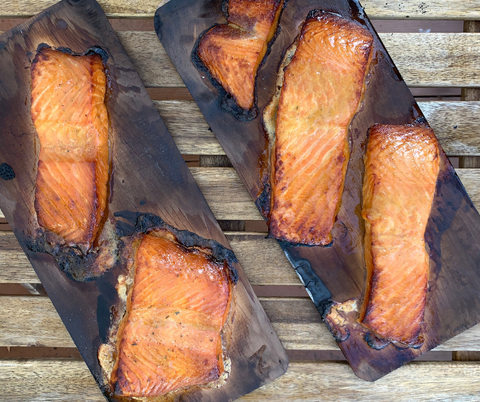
(433, 59)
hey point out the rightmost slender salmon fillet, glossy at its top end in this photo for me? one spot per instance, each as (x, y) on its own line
(401, 169)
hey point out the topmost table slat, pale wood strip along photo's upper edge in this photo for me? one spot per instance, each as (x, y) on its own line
(376, 9)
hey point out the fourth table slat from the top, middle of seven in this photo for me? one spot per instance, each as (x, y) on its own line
(229, 199)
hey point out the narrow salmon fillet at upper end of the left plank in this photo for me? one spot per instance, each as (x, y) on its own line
(70, 117)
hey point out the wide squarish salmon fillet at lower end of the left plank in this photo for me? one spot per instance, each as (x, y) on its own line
(172, 335)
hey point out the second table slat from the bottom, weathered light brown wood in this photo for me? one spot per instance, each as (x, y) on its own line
(295, 320)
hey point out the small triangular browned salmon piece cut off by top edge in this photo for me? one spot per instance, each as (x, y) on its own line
(233, 52)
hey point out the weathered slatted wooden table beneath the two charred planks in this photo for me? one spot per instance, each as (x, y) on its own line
(38, 360)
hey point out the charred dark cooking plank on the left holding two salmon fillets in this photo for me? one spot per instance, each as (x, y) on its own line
(151, 176)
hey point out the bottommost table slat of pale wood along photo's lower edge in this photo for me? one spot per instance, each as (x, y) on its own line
(67, 380)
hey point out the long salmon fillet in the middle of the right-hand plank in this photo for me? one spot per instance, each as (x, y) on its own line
(322, 88)
